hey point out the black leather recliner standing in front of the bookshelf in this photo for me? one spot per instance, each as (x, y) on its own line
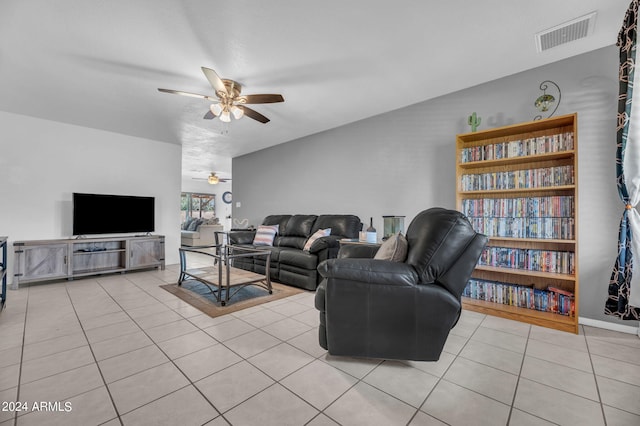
(391, 310)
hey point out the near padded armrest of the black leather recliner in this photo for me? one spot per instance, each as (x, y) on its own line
(370, 271)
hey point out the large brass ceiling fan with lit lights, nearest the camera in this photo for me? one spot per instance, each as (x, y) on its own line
(228, 100)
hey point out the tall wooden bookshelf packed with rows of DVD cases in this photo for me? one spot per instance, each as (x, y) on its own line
(518, 184)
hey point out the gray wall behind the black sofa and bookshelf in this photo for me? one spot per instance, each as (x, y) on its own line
(402, 162)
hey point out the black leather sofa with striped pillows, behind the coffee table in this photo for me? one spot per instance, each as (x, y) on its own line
(289, 263)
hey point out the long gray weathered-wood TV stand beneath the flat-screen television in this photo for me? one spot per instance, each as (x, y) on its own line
(44, 260)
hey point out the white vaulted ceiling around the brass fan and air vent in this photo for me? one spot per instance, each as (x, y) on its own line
(98, 63)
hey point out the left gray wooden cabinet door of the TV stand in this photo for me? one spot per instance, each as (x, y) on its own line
(42, 262)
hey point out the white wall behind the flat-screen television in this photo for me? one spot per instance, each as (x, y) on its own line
(43, 162)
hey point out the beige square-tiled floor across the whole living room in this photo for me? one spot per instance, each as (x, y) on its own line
(118, 350)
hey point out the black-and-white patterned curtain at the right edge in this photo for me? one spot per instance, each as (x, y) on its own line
(622, 301)
